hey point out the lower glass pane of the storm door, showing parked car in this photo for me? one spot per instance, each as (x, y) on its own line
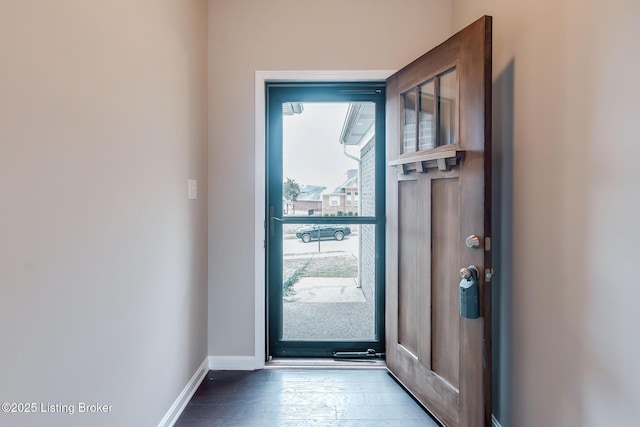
(328, 289)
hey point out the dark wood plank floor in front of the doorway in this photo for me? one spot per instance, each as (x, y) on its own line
(302, 398)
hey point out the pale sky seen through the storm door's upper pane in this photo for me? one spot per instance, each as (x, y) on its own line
(312, 153)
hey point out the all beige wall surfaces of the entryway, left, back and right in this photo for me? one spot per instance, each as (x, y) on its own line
(103, 260)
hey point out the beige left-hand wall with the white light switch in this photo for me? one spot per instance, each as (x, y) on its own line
(103, 118)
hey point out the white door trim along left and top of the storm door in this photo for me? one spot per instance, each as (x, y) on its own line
(261, 78)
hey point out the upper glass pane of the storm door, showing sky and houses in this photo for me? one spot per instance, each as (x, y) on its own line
(328, 156)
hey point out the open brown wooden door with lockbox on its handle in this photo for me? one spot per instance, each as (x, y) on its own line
(438, 267)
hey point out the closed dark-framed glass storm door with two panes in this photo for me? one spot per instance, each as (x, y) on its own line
(325, 219)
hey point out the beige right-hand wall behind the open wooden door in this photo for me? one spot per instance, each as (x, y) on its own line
(565, 107)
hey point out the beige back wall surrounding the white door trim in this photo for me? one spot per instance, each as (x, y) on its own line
(246, 36)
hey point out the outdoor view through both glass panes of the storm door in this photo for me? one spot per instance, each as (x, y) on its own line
(328, 269)
